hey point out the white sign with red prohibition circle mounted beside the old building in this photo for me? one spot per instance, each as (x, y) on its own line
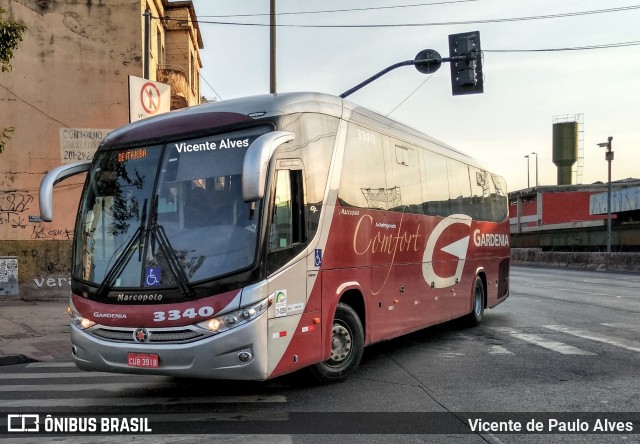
(147, 98)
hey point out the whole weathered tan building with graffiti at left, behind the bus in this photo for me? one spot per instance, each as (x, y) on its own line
(68, 88)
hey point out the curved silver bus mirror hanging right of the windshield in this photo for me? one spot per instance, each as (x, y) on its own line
(256, 162)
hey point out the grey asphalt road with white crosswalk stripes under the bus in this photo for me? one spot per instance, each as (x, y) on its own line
(564, 346)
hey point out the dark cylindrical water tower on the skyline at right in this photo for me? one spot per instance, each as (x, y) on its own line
(568, 147)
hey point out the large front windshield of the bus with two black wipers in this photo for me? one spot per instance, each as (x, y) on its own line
(167, 215)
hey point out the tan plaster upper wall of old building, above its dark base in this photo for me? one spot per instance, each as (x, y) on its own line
(70, 72)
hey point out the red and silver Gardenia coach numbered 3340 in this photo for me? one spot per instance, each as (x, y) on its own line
(250, 238)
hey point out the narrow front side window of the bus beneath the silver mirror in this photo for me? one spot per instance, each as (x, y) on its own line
(287, 233)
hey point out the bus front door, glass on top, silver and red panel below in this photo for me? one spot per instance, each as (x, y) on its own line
(294, 342)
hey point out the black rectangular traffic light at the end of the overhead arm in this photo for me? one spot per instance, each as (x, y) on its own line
(466, 63)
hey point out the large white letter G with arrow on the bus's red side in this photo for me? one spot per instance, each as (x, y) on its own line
(458, 248)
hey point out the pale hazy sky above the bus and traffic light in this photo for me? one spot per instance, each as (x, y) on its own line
(523, 91)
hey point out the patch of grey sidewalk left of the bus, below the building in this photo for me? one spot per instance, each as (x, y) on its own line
(33, 331)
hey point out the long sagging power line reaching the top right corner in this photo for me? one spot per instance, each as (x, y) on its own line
(408, 25)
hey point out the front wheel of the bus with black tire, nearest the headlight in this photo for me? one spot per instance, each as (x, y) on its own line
(347, 345)
